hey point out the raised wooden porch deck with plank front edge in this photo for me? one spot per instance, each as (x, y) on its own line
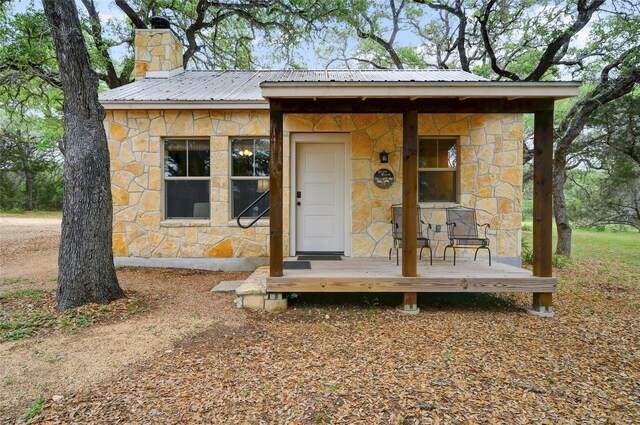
(382, 275)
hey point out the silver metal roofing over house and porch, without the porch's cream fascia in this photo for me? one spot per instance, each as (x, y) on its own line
(246, 87)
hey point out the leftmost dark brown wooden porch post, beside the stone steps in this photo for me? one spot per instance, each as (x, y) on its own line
(275, 194)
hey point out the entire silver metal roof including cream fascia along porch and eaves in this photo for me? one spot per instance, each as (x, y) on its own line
(250, 89)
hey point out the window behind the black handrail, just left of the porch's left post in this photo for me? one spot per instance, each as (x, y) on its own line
(249, 175)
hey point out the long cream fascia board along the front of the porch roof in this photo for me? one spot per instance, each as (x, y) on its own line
(557, 91)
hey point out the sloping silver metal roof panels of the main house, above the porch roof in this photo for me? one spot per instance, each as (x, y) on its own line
(239, 86)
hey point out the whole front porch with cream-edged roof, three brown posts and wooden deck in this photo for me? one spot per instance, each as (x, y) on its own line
(411, 98)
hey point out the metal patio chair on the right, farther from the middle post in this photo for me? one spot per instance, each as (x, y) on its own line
(462, 230)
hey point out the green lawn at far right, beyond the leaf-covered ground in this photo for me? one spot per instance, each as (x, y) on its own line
(623, 247)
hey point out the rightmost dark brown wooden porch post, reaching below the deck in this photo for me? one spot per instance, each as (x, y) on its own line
(542, 204)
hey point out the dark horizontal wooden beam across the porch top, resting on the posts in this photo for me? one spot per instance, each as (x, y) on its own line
(422, 105)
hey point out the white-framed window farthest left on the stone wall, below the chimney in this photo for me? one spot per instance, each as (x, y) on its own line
(186, 179)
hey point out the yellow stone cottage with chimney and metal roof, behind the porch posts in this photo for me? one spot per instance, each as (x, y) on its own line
(191, 150)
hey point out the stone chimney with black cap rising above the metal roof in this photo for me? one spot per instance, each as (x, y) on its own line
(158, 51)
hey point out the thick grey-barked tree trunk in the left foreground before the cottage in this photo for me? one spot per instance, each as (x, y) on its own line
(86, 272)
